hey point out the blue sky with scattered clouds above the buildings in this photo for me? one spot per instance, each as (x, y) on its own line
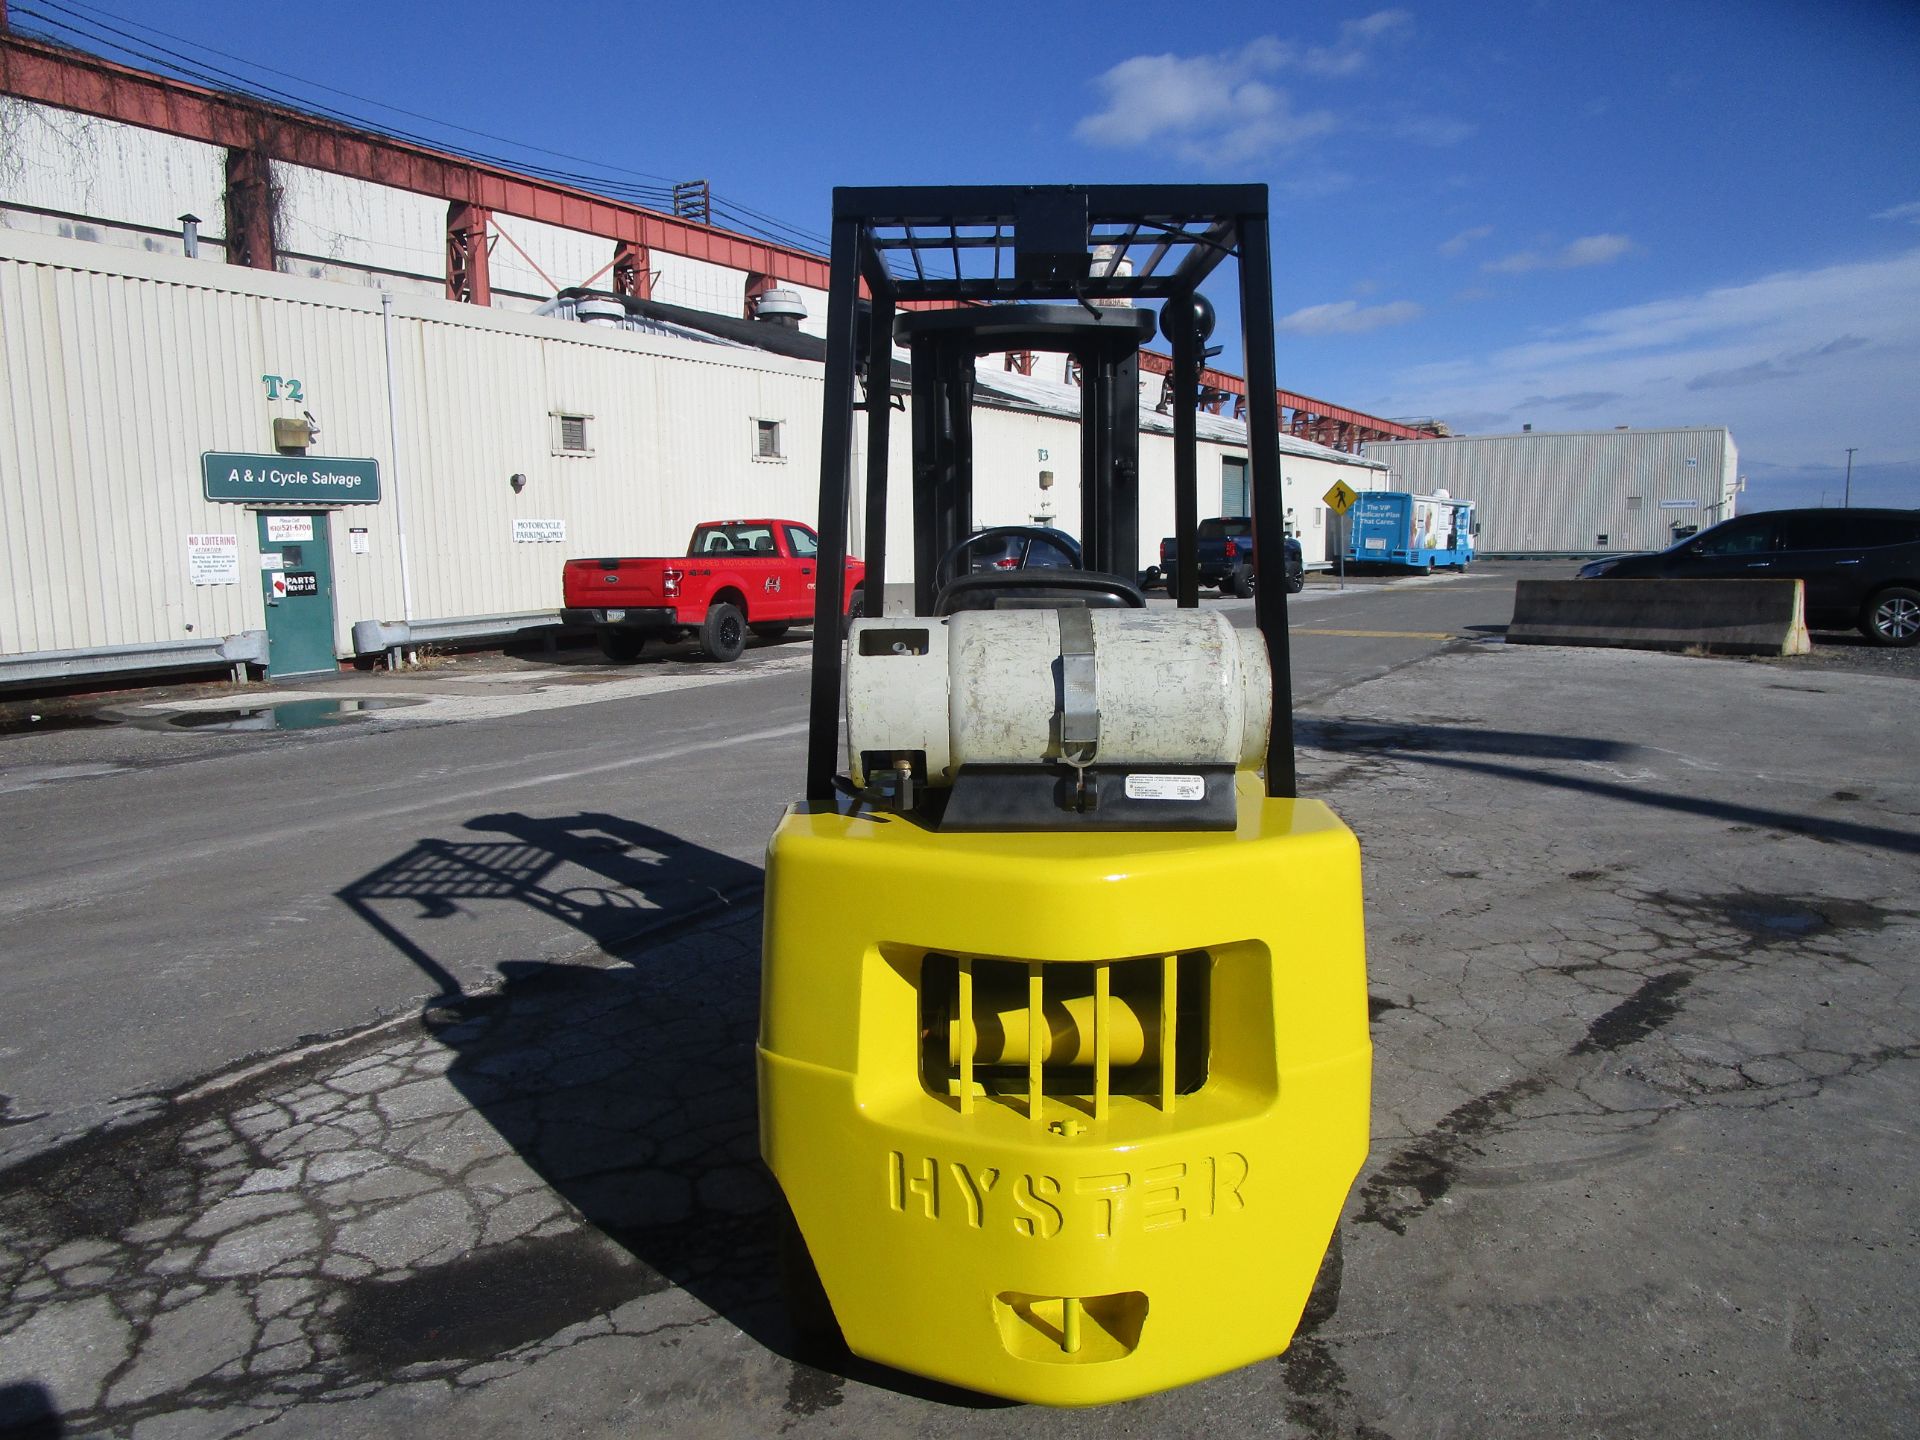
(1573, 216)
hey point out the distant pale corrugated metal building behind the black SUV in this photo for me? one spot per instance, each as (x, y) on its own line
(1577, 492)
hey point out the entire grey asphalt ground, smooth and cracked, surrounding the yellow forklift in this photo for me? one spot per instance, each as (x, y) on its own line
(1641, 948)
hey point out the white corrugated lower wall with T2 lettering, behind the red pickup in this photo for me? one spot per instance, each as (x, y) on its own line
(506, 443)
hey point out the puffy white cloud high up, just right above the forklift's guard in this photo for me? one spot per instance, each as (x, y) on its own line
(1226, 108)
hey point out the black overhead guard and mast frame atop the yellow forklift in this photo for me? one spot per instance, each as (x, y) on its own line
(961, 272)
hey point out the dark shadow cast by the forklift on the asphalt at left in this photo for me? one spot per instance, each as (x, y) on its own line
(627, 1088)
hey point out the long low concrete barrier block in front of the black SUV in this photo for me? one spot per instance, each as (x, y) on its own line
(1721, 617)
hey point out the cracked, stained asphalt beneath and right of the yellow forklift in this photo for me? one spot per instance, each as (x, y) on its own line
(1643, 942)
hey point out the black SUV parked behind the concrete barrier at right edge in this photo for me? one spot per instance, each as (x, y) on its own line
(1860, 567)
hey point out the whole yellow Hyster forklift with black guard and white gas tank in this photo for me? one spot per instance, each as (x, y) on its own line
(1065, 1045)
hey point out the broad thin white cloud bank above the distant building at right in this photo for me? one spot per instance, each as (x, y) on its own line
(1838, 343)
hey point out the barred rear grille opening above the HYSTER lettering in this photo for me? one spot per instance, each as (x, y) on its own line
(1019, 1034)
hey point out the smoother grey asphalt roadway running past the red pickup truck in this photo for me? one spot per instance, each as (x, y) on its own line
(249, 869)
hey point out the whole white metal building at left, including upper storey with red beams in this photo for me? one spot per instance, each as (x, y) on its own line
(189, 274)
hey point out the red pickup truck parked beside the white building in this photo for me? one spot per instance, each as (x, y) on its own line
(736, 577)
